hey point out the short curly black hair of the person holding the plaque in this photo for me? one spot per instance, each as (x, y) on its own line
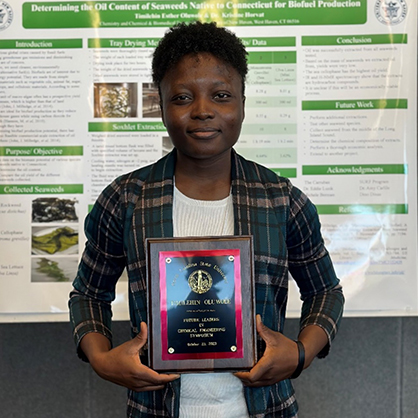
(184, 39)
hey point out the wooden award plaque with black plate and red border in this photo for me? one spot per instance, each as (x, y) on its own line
(201, 304)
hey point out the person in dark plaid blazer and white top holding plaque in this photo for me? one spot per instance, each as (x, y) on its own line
(203, 188)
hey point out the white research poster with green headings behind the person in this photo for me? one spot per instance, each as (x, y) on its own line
(331, 103)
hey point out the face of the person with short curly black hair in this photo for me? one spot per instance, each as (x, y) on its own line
(202, 106)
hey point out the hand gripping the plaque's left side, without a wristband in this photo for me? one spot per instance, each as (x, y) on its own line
(122, 365)
